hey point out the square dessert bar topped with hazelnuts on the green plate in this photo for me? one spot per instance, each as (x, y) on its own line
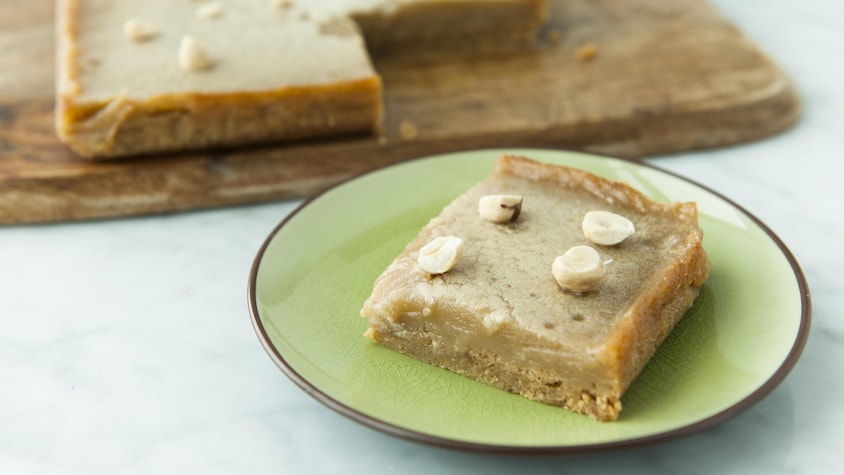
(483, 300)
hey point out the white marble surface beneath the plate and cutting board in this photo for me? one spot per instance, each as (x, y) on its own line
(126, 345)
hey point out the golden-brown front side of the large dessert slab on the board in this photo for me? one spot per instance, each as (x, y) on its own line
(123, 127)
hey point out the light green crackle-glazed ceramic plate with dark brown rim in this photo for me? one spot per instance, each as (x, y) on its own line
(741, 338)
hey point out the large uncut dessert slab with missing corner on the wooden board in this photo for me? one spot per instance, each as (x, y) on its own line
(306, 74)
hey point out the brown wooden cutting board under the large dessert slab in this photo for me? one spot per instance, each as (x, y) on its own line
(667, 77)
